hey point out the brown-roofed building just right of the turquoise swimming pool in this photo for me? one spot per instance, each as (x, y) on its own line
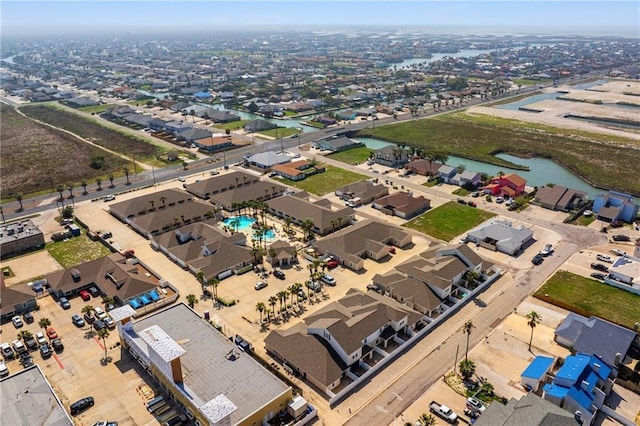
(299, 207)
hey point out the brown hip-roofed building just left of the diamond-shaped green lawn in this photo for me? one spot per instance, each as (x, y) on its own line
(367, 239)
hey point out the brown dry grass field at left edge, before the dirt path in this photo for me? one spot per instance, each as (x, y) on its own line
(36, 158)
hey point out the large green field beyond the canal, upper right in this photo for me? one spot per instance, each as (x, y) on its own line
(605, 160)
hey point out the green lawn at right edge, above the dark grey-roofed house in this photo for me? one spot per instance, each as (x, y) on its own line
(587, 297)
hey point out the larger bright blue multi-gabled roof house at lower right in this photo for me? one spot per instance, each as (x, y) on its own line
(580, 386)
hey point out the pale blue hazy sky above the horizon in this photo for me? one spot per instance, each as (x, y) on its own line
(141, 16)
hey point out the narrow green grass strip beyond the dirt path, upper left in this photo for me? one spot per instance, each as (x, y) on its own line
(100, 135)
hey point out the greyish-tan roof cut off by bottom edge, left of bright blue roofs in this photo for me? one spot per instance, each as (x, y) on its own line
(529, 410)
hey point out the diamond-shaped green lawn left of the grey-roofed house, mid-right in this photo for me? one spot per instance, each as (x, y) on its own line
(449, 220)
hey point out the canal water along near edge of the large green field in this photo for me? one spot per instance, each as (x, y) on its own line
(541, 170)
